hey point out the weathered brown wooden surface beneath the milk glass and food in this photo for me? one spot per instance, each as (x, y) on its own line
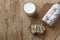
(14, 23)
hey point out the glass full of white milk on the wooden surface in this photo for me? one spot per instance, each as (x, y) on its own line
(29, 8)
